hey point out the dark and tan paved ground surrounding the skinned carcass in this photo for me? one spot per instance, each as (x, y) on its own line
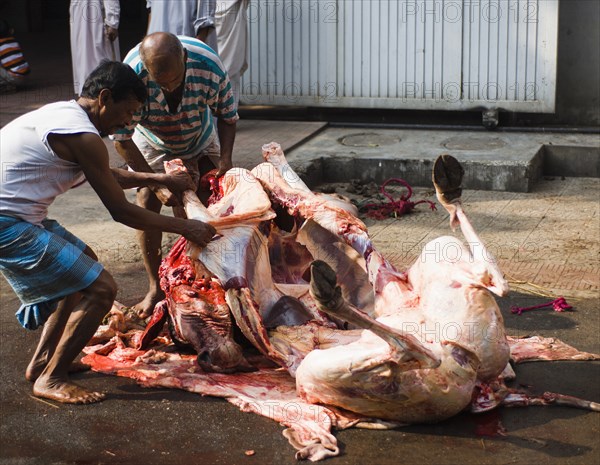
(142, 426)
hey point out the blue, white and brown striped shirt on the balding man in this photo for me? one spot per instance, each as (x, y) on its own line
(190, 129)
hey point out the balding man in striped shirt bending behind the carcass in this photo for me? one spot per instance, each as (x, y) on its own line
(187, 85)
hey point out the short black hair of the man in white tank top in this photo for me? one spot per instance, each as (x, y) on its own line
(119, 78)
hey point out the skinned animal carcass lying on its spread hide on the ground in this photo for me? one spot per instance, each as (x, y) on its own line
(293, 279)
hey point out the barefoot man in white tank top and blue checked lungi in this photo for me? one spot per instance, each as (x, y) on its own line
(56, 275)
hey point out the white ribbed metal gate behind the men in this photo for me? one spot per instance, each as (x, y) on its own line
(403, 54)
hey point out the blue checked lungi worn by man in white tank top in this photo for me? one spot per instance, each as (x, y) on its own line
(43, 265)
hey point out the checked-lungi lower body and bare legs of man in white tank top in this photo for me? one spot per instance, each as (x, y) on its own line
(44, 265)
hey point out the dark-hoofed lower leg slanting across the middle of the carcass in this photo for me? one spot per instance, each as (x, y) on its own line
(328, 295)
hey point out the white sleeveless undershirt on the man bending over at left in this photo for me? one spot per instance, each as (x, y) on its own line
(32, 175)
